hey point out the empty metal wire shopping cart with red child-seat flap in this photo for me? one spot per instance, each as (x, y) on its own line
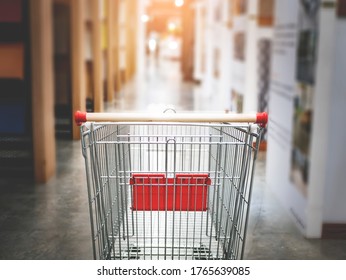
(169, 186)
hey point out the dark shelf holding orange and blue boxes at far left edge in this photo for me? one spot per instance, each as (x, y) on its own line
(16, 143)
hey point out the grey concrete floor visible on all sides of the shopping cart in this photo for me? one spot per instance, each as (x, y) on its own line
(51, 221)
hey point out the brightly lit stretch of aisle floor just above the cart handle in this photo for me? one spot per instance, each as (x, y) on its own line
(159, 87)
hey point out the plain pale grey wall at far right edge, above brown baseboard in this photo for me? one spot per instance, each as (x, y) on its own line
(335, 191)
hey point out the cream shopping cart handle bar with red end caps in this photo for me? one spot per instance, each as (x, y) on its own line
(259, 118)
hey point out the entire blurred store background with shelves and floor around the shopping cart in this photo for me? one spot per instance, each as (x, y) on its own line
(284, 57)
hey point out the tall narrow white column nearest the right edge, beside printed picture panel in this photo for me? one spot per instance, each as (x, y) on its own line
(321, 120)
